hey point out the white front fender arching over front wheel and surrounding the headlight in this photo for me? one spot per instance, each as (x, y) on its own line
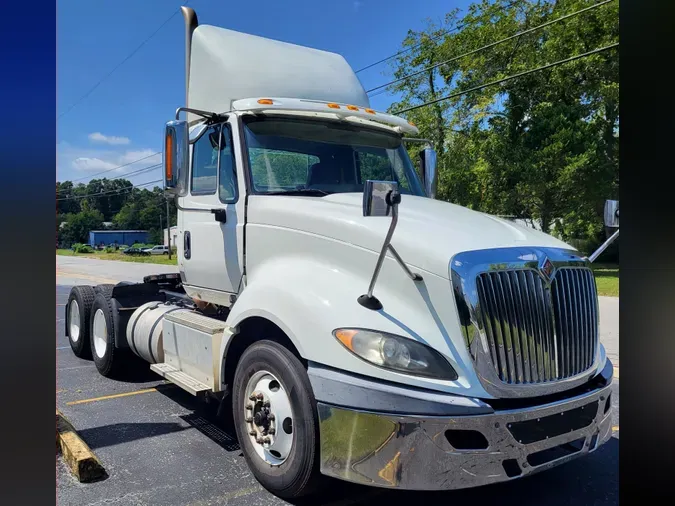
(309, 299)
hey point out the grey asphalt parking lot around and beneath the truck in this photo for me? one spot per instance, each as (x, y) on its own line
(160, 445)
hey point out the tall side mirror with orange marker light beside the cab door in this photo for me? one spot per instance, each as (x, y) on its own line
(176, 164)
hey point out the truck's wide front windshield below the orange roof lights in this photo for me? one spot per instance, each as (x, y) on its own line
(311, 157)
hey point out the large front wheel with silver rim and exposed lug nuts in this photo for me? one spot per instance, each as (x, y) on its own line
(287, 462)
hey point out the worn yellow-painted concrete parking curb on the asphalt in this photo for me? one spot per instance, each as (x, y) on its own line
(76, 453)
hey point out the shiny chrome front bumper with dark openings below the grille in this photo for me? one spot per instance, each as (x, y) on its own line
(420, 452)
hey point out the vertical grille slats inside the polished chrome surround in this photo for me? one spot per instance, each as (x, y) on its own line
(534, 333)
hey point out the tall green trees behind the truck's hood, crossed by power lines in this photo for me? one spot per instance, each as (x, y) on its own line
(544, 146)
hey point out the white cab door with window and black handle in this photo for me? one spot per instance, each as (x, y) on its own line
(209, 256)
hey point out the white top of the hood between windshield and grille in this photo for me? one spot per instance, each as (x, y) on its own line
(429, 232)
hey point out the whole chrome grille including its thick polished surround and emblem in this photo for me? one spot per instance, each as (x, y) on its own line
(533, 318)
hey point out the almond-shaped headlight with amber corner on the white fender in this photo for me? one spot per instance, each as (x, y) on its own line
(395, 352)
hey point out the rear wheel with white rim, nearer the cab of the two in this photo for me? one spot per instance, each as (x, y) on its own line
(107, 358)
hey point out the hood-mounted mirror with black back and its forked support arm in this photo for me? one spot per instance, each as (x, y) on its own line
(381, 198)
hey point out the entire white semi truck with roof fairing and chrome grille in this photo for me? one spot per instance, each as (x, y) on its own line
(356, 327)
